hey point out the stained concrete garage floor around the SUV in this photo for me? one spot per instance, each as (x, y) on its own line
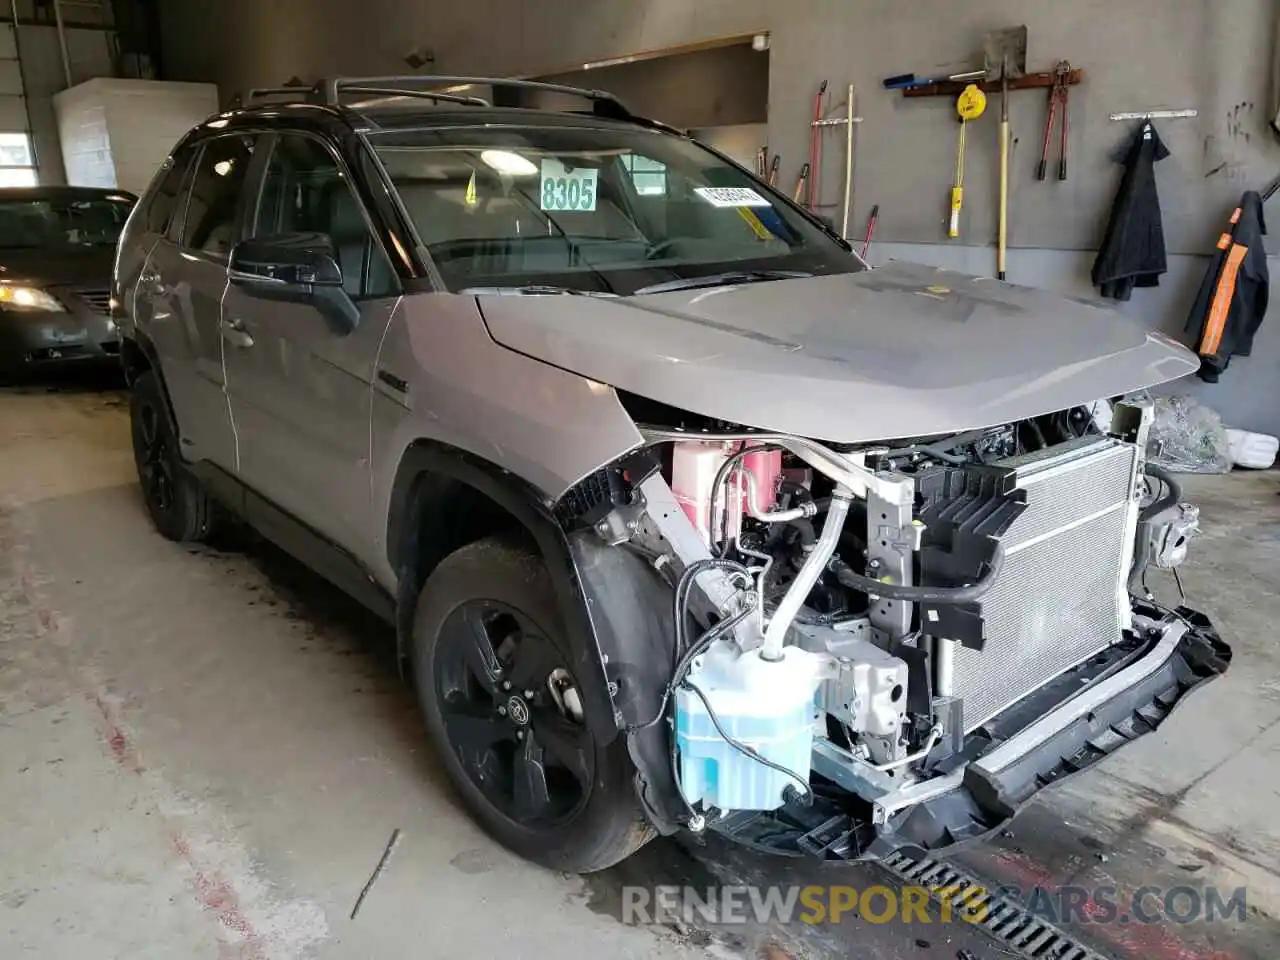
(204, 753)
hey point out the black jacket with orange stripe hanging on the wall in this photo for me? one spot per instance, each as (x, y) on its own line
(1233, 298)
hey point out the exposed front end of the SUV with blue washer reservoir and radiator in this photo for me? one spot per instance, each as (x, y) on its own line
(871, 642)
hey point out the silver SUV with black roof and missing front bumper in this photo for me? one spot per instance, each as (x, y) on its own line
(687, 519)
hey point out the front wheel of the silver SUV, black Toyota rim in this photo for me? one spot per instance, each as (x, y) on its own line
(504, 596)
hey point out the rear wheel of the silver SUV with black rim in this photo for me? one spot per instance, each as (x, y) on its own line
(180, 510)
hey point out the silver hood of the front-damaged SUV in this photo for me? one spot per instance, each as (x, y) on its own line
(898, 351)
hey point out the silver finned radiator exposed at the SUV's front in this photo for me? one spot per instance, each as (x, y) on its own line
(1059, 598)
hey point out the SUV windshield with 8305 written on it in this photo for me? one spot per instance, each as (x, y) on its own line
(595, 209)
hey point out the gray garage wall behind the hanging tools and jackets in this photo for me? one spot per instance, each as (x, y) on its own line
(1210, 56)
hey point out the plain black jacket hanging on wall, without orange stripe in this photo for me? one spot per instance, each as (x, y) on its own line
(1133, 252)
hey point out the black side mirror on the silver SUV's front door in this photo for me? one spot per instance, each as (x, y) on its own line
(295, 268)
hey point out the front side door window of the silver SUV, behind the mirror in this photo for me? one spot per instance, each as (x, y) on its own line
(305, 191)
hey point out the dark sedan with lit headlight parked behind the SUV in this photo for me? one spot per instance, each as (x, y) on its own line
(57, 250)
